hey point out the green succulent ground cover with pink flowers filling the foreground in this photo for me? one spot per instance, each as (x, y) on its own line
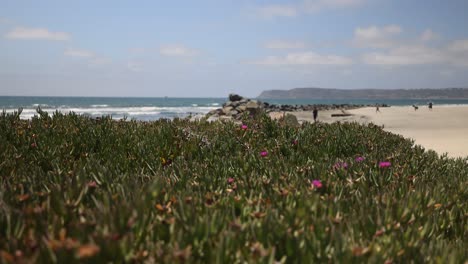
(77, 189)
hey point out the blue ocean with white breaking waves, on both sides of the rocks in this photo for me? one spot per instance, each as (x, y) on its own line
(147, 109)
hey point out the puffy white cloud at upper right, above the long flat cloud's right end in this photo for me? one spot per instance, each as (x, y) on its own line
(376, 37)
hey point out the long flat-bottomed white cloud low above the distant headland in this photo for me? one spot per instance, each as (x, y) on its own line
(304, 58)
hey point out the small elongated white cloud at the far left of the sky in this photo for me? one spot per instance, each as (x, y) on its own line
(36, 33)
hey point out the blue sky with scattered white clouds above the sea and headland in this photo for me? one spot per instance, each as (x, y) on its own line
(210, 48)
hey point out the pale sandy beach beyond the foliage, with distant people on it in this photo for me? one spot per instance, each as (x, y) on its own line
(443, 129)
